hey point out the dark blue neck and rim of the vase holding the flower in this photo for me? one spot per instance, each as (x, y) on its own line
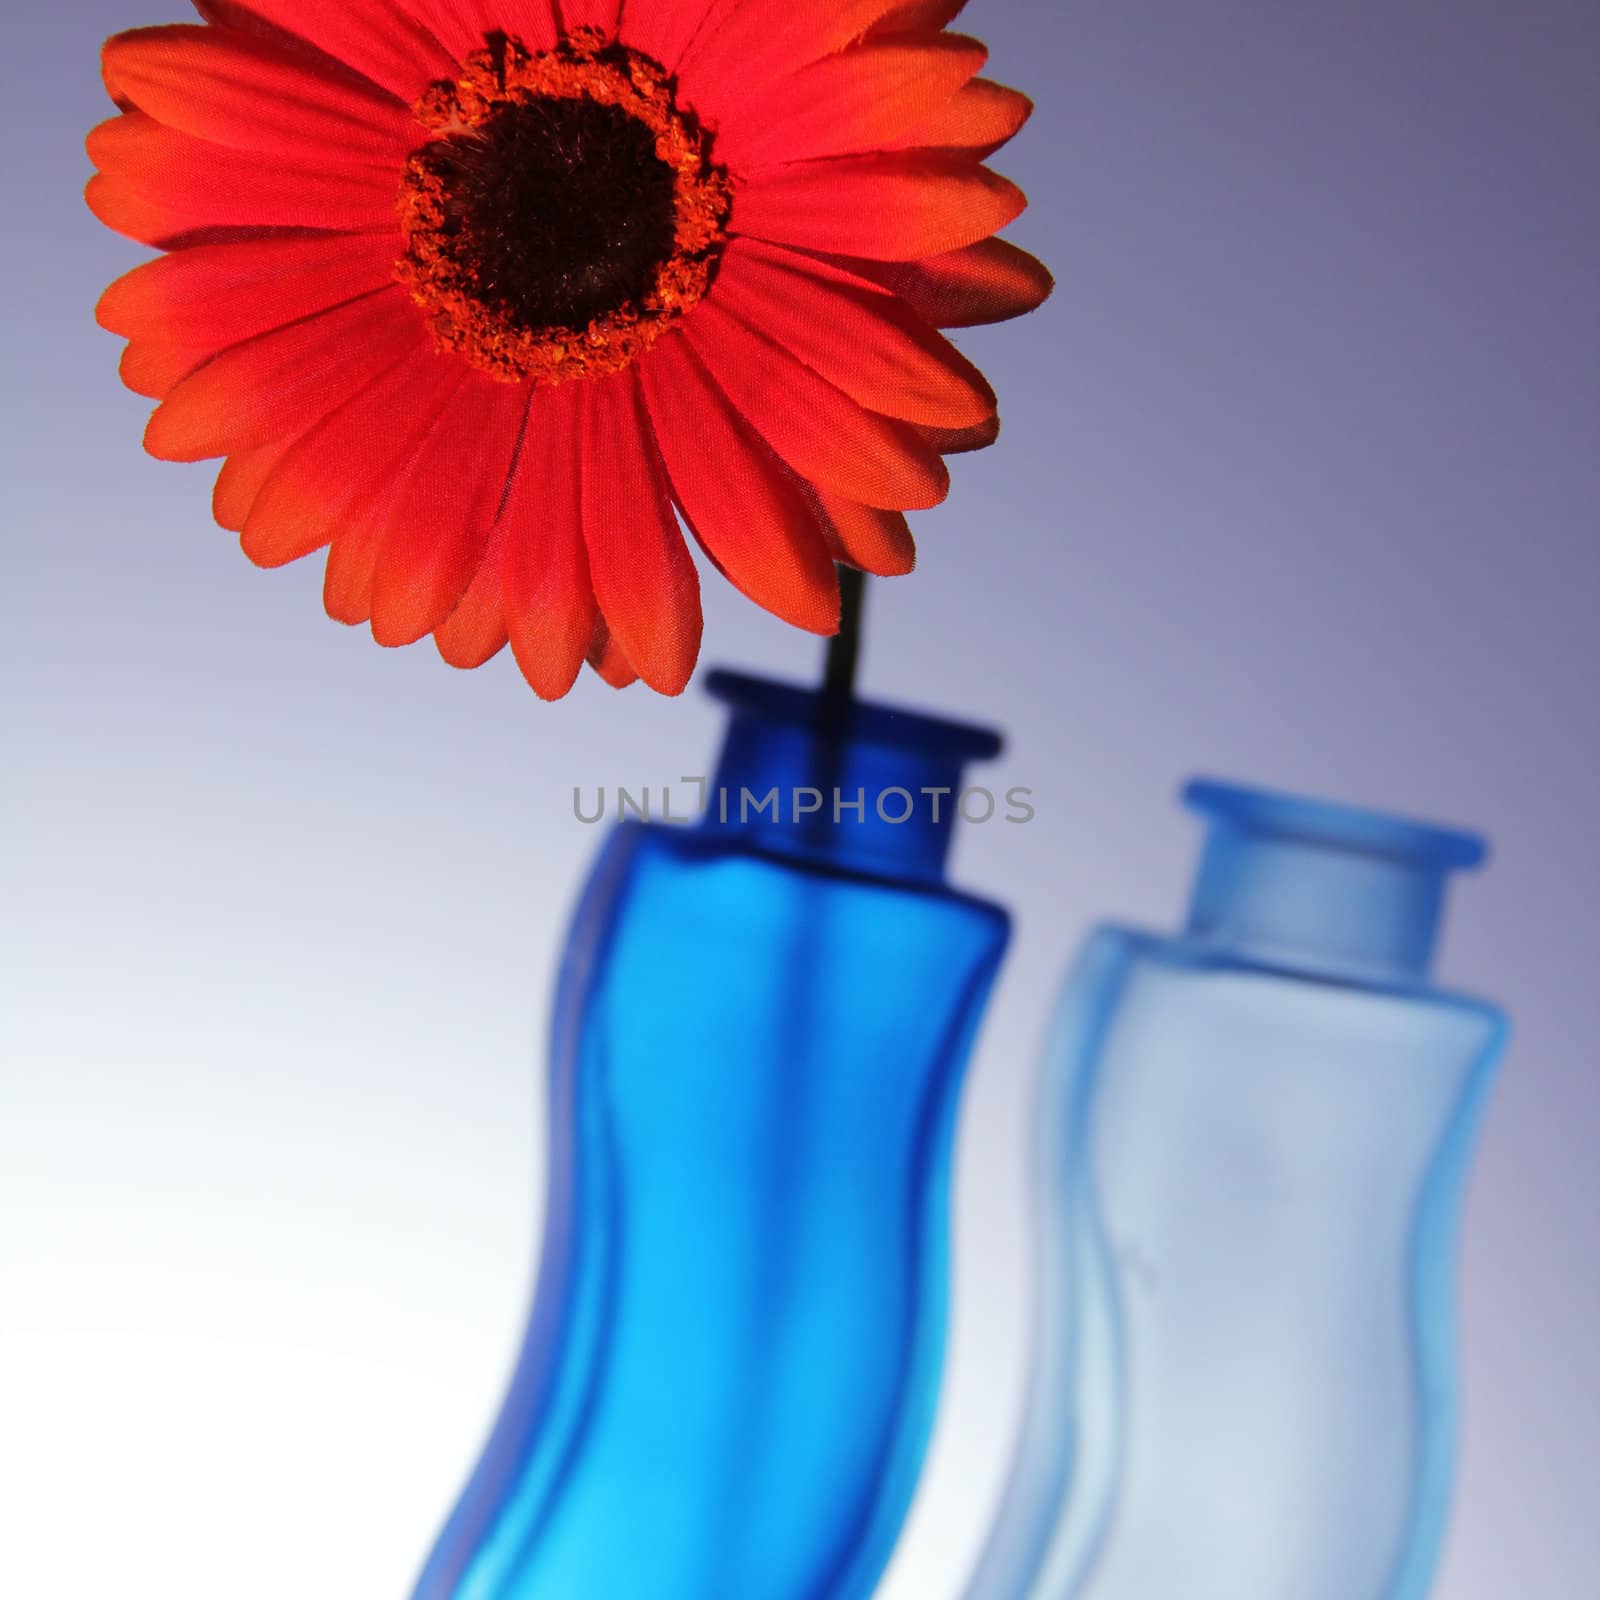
(860, 786)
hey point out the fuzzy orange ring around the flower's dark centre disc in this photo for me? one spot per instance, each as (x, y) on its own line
(442, 268)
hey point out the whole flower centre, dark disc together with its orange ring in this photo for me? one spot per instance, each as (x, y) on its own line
(564, 215)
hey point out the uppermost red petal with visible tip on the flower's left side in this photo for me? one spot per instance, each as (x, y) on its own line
(254, 95)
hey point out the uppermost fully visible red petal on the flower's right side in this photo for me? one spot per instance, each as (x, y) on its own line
(858, 100)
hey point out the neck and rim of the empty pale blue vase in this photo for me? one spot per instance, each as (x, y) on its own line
(1324, 886)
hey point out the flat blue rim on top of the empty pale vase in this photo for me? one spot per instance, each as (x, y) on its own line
(1281, 815)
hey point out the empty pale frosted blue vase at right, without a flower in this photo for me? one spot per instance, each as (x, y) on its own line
(1255, 1142)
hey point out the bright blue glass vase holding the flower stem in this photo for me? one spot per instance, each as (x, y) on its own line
(761, 1031)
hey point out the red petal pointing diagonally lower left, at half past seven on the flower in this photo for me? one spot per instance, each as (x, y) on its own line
(351, 450)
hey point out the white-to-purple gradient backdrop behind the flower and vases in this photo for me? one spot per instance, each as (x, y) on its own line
(1300, 482)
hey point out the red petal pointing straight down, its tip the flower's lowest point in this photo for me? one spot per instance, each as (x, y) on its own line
(545, 570)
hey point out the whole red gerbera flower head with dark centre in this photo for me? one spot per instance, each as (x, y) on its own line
(484, 295)
